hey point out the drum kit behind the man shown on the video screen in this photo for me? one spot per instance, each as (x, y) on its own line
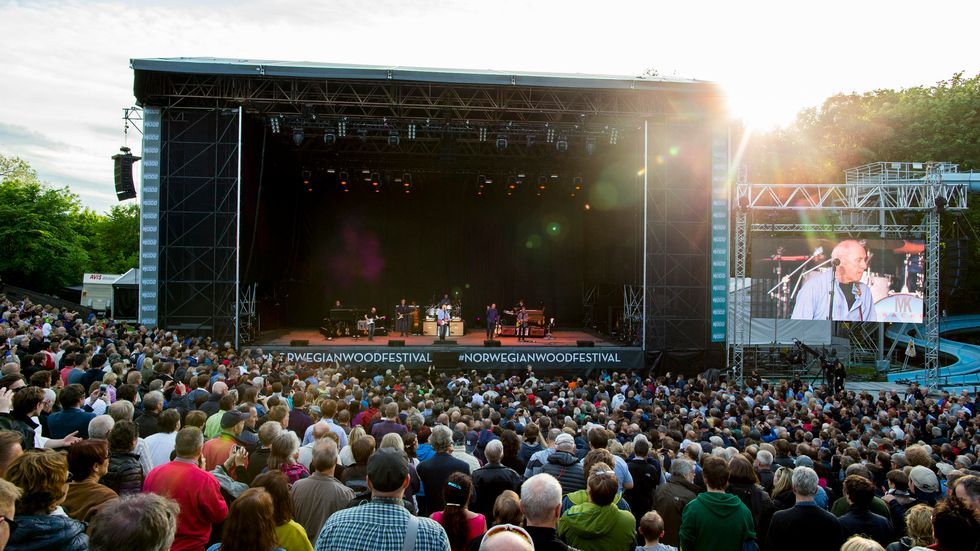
(894, 301)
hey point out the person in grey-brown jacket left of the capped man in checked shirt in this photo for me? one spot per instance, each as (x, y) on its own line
(320, 495)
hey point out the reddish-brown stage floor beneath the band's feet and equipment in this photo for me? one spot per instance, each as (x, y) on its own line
(560, 338)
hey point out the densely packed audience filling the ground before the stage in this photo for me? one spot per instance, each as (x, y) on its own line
(131, 438)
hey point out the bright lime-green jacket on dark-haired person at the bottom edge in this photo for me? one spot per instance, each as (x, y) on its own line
(590, 527)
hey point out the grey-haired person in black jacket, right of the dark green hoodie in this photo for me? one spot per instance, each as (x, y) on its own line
(821, 528)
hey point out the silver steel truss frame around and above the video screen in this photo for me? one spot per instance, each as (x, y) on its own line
(875, 199)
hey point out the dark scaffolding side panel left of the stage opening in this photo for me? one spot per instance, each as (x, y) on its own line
(199, 182)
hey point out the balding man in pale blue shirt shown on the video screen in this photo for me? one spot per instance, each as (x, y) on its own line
(852, 300)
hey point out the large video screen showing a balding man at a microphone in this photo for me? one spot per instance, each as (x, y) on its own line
(878, 280)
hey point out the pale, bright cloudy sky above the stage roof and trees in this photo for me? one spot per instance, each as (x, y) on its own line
(66, 75)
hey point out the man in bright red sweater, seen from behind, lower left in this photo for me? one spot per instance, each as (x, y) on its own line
(195, 490)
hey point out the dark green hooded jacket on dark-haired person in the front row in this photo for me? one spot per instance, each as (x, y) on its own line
(715, 522)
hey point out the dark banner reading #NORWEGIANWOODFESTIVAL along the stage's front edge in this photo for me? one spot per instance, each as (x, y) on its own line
(542, 359)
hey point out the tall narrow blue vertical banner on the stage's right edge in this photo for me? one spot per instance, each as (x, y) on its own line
(719, 235)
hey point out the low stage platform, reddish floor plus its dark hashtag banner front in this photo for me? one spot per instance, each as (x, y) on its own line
(567, 352)
